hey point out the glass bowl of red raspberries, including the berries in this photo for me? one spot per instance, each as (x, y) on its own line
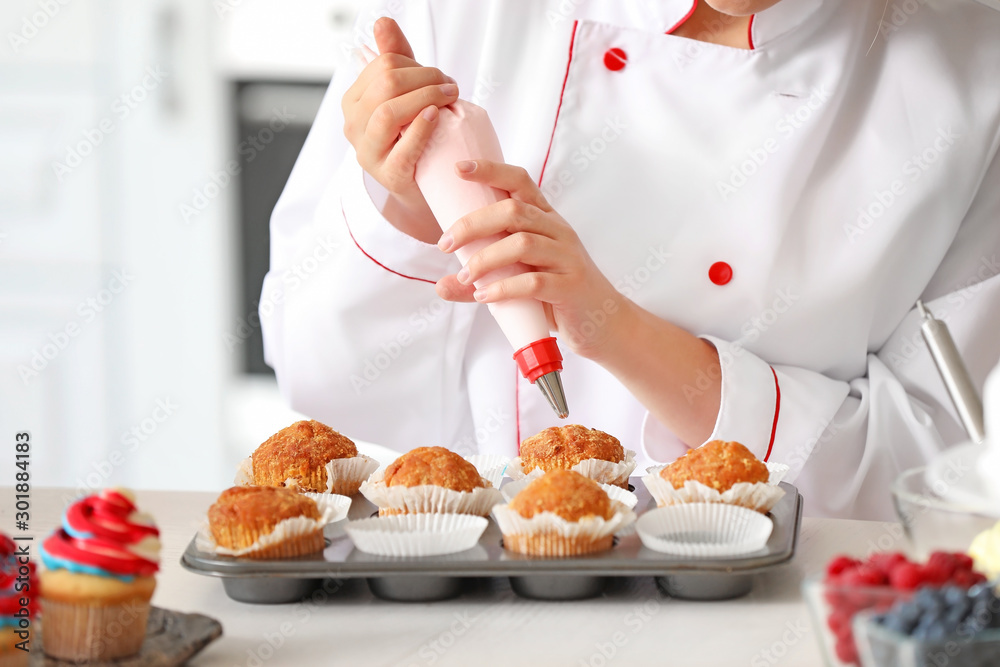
(875, 585)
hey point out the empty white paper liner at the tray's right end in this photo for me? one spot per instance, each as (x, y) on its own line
(699, 530)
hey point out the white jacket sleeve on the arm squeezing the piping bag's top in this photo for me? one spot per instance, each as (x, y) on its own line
(351, 322)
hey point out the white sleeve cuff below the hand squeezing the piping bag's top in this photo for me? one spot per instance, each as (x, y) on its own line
(378, 239)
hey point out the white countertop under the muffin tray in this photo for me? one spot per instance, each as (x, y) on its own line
(632, 622)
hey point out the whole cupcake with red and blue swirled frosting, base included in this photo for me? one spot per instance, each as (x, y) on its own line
(99, 579)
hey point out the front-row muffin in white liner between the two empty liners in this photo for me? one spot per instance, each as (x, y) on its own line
(561, 513)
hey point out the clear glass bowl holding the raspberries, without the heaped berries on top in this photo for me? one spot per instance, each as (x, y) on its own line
(833, 608)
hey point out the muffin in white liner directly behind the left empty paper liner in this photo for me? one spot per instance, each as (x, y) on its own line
(430, 480)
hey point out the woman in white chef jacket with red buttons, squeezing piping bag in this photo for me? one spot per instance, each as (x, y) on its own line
(731, 208)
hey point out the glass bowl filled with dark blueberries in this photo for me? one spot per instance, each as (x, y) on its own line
(938, 627)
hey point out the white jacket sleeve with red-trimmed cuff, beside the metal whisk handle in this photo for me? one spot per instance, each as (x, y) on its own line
(846, 441)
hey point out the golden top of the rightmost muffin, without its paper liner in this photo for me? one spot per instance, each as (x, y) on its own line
(718, 465)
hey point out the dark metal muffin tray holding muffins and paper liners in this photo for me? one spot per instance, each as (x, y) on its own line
(442, 577)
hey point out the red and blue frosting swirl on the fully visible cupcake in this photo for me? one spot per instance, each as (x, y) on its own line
(100, 534)
